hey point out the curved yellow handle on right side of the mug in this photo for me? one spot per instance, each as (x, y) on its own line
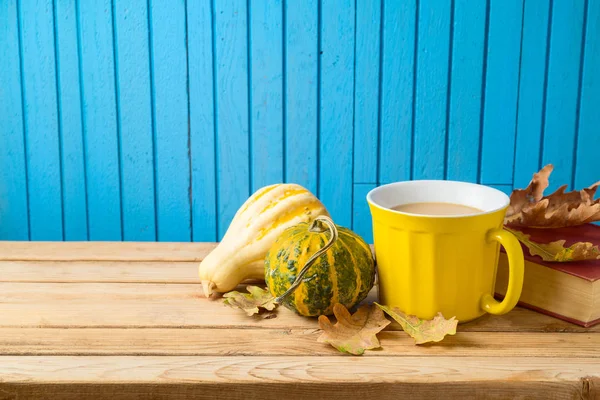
(515, 273)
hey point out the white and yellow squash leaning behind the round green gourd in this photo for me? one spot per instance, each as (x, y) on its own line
(252, 232)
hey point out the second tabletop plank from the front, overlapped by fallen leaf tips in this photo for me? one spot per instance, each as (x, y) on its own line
(283, 342)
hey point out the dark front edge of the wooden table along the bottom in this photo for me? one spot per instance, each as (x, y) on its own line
(586, 388)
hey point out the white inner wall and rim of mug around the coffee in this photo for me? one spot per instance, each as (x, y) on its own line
(481, 197)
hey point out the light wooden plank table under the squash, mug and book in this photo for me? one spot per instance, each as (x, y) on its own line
(121, 321)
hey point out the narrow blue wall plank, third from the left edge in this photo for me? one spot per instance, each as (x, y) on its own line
(74, 201)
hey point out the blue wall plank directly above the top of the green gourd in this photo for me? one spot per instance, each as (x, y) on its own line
(336, 109)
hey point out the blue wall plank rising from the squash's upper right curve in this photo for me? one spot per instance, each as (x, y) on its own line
(300, 116)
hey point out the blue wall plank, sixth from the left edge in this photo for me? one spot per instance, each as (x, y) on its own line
(171, 124)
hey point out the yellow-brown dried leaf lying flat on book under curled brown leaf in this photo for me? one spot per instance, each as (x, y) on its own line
(556, 251)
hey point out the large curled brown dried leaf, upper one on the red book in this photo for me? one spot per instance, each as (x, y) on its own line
(530, 208)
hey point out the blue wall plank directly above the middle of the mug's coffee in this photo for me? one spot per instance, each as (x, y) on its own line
(431, 92)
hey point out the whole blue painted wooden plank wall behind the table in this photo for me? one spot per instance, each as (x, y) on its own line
(155, 120)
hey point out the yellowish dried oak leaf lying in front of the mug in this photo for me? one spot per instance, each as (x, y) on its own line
(423, 331)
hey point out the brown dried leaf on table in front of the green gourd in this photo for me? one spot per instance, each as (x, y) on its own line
(354, 333)
